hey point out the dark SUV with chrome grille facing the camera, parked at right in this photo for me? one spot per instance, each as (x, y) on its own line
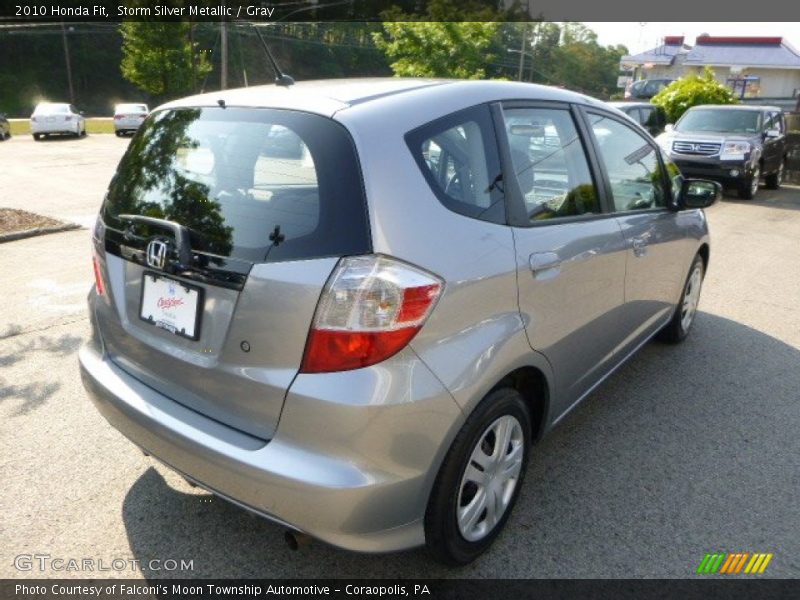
(736, 145)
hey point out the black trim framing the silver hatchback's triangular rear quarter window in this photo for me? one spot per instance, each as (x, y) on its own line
(478, 113)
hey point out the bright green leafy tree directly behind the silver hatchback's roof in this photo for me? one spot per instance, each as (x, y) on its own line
(429, 49)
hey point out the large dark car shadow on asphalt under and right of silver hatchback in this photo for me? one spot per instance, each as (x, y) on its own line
(686, 449)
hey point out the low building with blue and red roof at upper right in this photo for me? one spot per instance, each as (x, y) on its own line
(754, 67)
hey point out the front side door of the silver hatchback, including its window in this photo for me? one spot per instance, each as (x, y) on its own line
(639, 190)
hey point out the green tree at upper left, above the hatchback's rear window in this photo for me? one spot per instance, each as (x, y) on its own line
(158, 57)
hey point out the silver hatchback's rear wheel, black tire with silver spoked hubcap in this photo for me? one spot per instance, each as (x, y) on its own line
(455, 539)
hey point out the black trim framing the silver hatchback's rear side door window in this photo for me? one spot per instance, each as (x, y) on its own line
(515, 205)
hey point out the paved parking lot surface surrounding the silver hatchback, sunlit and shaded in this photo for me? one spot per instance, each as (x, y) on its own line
(686, 450)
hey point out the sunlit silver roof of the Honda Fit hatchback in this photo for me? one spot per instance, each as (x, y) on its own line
(328, 97)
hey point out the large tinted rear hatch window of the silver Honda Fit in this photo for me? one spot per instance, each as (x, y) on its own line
(241, 180)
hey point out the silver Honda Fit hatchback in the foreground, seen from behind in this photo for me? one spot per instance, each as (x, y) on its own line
(352, 306)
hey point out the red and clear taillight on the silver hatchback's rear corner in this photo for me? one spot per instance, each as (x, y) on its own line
(370, 309)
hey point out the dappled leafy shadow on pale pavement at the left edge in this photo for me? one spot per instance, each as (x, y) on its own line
(31, 394)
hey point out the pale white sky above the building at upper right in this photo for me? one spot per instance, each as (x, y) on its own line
(643, 36)
